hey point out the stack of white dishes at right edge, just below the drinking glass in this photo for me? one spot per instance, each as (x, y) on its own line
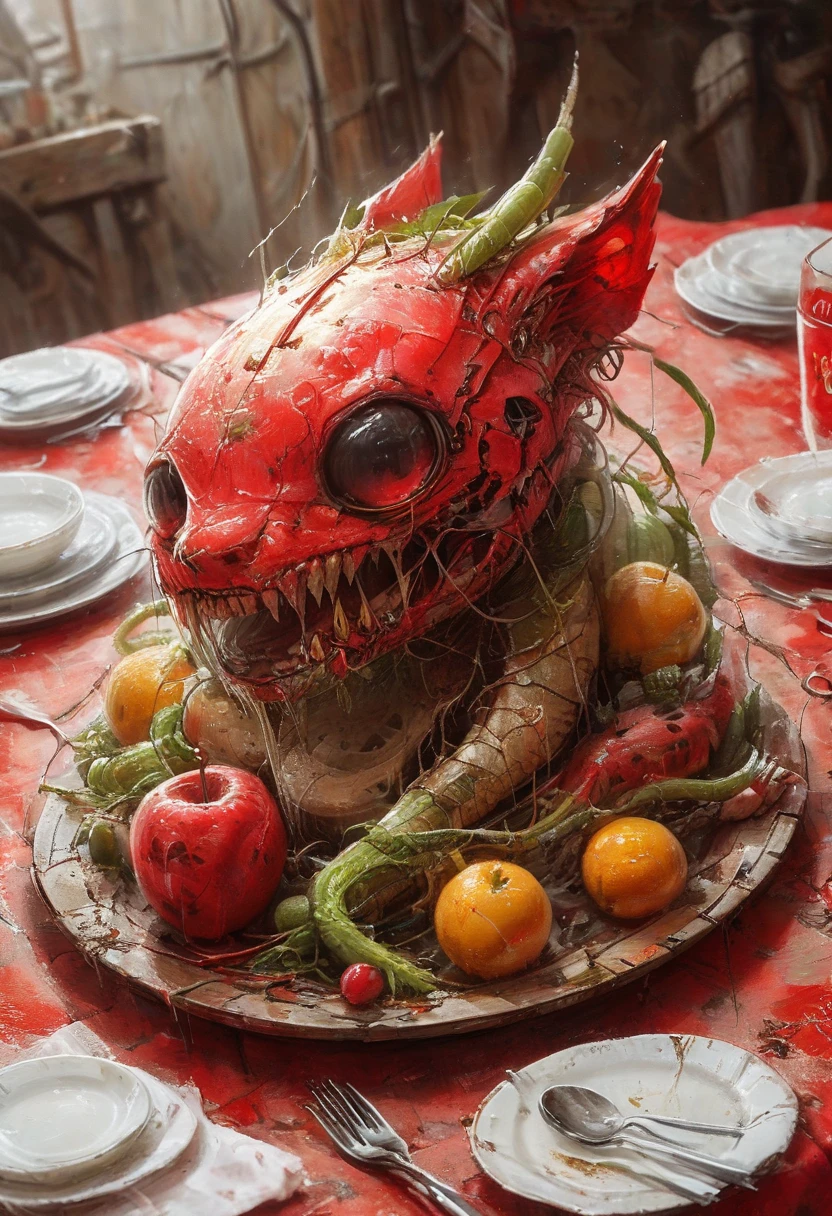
(782, 510)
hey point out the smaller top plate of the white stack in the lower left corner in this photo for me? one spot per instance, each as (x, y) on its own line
(66, 1117)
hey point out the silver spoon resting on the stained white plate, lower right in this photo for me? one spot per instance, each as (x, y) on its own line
(589, 1117)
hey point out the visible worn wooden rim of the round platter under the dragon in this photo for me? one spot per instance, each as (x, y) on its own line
(113, 926)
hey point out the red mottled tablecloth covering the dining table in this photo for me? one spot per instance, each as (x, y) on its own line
(764, 982)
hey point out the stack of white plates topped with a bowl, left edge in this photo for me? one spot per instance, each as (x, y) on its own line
(60, 550)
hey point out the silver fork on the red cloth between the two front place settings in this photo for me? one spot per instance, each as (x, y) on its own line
(363, 1135)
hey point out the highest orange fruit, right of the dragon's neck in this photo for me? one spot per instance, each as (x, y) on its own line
(653, 618)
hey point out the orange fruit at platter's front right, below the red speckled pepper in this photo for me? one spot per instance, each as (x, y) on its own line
(634, 868)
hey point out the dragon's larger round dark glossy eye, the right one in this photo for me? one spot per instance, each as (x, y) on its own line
(383, 455)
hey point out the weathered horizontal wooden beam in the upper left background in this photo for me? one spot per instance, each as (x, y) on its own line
(81, 165)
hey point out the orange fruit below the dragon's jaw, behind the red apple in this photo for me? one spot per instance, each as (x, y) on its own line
(139, 685)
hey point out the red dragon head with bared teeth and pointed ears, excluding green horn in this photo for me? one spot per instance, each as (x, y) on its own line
(362, 457)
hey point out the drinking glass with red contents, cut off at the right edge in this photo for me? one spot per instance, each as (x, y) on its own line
(816, 346)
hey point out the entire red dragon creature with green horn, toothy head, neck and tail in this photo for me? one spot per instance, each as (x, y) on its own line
(387, 461)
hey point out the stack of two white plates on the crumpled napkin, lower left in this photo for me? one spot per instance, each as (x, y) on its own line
(77, 1128)
